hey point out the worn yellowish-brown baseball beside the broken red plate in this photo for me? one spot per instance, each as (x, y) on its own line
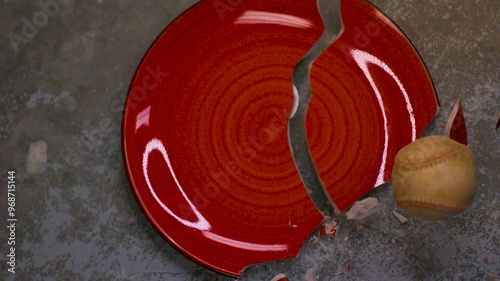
(434, 178)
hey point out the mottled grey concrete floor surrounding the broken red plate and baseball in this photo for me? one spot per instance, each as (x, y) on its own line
(78, 220)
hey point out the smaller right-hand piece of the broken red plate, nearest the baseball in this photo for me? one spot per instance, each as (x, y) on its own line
(374, 96)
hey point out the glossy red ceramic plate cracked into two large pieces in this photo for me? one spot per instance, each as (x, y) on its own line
(205, 125)
